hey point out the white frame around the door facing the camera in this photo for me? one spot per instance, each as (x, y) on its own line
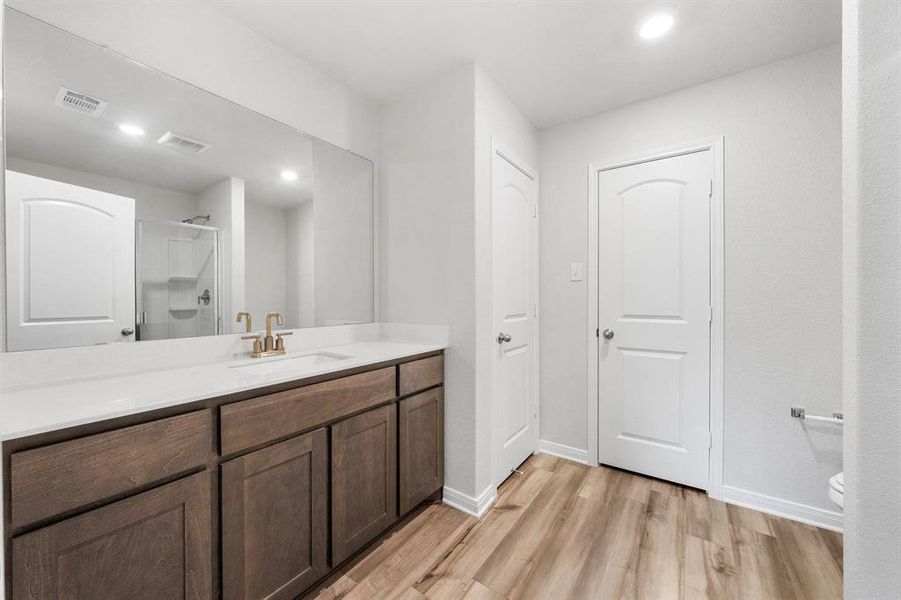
(717, 279)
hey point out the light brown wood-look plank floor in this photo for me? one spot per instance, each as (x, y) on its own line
(563, 530)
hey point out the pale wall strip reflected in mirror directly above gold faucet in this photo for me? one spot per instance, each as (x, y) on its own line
(264, 262)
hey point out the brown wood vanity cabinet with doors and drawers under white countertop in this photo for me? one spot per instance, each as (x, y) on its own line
(258, 493)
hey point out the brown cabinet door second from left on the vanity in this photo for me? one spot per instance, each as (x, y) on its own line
(275, 519)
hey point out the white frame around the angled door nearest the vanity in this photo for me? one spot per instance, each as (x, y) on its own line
(503, 152)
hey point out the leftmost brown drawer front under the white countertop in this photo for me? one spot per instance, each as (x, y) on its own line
(54, 479)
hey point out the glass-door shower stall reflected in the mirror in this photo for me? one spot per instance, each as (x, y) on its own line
(178, 280)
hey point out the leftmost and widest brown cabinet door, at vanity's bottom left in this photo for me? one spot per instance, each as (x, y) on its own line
(152, 545)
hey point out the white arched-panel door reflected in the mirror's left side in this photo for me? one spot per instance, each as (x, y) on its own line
(69, 263)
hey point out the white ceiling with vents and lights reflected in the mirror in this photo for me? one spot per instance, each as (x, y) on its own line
(40, 58)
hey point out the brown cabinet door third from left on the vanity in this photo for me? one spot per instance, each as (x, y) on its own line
(364, 465)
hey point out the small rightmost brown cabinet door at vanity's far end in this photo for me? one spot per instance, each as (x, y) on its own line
(421, 448)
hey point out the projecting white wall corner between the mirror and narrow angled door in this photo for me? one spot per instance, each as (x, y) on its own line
(435, 241)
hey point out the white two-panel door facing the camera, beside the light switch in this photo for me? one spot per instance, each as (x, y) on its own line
(654, 304)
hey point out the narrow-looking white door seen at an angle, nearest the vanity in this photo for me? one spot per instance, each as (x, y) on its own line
(514, 197)
